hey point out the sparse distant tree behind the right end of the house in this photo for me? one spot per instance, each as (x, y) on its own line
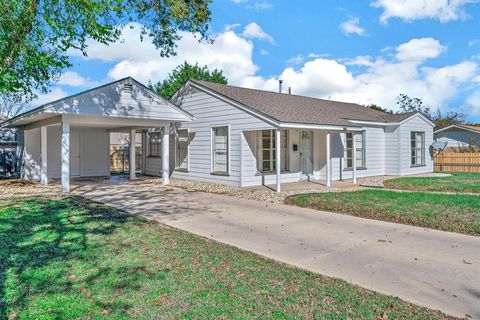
(441, 119)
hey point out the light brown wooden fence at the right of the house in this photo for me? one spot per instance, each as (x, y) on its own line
(449, 161)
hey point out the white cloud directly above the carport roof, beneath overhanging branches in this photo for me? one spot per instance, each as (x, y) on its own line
(229, 52)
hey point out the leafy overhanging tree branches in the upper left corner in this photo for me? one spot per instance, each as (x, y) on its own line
(36, 35)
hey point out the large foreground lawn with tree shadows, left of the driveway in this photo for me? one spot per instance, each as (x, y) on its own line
(69, 258)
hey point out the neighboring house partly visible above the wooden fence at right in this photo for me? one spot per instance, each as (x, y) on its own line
(459, 136)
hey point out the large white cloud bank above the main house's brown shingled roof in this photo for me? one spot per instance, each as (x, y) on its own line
(383, 79)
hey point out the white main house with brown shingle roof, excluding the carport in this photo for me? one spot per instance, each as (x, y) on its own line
(236, 131)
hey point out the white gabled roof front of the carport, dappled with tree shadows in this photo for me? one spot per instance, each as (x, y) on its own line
(125, 98)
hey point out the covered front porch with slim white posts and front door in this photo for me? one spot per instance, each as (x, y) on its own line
(295, 157)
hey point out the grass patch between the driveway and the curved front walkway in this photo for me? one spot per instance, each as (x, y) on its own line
(455, 213)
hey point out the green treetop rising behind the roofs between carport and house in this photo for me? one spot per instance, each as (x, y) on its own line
(181, 74)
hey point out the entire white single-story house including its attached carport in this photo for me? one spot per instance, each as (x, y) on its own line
(219, 133)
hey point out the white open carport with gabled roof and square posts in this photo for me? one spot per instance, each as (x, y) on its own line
(70, 137)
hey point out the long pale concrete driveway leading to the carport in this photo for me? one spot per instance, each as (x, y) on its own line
(439, 270)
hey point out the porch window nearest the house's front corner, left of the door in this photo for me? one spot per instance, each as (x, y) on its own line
(285, 151)
